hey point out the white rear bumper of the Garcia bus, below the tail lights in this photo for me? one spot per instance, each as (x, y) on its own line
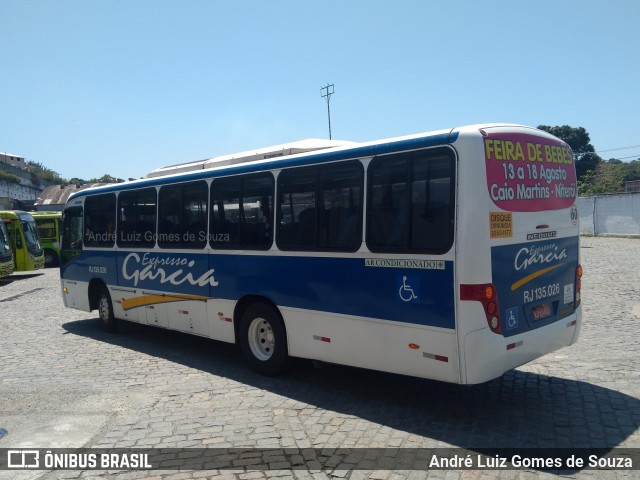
(488, 355)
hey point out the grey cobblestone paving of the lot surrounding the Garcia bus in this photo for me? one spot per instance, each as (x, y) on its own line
(155, 388)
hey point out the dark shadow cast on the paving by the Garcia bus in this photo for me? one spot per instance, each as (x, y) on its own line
(520, 410)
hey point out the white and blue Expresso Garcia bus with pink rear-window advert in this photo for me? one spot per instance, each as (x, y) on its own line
(451, 255)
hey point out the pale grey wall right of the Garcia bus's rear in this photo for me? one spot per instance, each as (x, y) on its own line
(610, 214)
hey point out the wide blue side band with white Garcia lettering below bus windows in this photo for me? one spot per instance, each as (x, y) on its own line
(406, 293)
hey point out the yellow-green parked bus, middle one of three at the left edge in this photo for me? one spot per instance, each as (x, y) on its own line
(25, 243)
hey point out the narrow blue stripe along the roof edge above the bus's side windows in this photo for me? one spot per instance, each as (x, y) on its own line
(284, 162)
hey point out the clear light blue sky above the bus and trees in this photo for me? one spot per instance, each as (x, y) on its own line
(121, 87)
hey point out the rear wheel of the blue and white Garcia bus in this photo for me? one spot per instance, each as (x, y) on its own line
(263, 339)
